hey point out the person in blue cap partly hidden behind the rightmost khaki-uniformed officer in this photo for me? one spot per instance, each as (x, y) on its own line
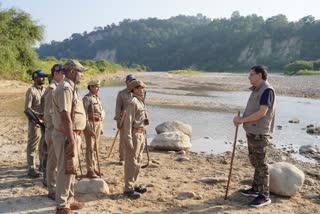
(123, 99)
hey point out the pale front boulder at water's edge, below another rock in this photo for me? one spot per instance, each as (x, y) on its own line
(171, 141)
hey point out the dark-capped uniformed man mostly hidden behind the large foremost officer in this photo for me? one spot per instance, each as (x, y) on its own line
(57, 75)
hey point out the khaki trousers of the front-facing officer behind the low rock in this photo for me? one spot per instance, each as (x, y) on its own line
(91, 158)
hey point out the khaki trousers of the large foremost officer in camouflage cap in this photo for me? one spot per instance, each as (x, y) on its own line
(65, 183)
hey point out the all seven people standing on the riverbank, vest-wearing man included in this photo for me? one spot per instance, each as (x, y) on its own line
(66, 115)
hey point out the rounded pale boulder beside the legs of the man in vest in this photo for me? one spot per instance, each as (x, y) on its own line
(285, 179)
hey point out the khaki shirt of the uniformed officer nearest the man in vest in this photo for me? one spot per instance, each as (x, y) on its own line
(136, 116)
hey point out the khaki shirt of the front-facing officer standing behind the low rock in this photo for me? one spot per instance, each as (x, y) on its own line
(92, 104)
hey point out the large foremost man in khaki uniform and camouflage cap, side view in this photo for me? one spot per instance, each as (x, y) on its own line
(69, 120)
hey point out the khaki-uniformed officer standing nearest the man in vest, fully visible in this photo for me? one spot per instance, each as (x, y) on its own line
(134, 136)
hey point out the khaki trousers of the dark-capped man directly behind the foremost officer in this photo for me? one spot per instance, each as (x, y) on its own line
(51, 162)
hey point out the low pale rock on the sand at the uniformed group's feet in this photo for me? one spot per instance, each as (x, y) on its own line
(92, 186)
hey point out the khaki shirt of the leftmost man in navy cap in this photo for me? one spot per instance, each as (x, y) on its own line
(33, 98)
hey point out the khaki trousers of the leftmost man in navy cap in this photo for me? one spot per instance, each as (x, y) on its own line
(34, 138)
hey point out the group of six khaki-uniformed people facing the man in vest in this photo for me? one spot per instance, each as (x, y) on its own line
(64, 115)
